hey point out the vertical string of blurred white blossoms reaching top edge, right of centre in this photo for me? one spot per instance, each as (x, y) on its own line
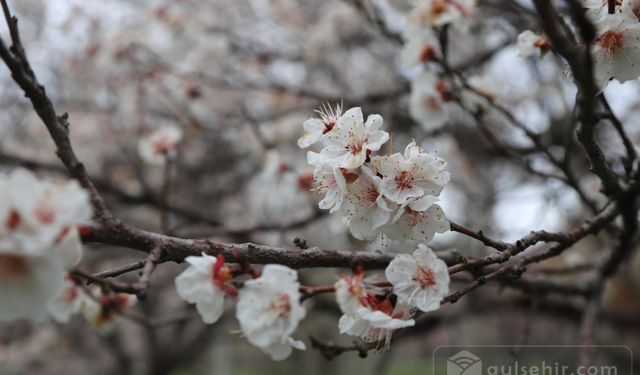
(431, 96)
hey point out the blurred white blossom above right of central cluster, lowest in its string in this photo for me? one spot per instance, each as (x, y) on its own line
(429, 101)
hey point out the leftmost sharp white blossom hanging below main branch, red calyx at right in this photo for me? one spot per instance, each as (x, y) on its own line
(203, 284)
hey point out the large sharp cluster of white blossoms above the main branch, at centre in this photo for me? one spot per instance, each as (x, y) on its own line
(393, 195)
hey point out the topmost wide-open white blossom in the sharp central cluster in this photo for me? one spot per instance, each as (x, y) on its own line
(352, 140)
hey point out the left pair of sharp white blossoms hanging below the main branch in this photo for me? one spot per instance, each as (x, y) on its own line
(268, 308)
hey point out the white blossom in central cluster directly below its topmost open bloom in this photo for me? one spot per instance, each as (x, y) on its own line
(366, 210)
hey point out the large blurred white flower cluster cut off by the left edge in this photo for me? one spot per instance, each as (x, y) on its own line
(39, 241)
